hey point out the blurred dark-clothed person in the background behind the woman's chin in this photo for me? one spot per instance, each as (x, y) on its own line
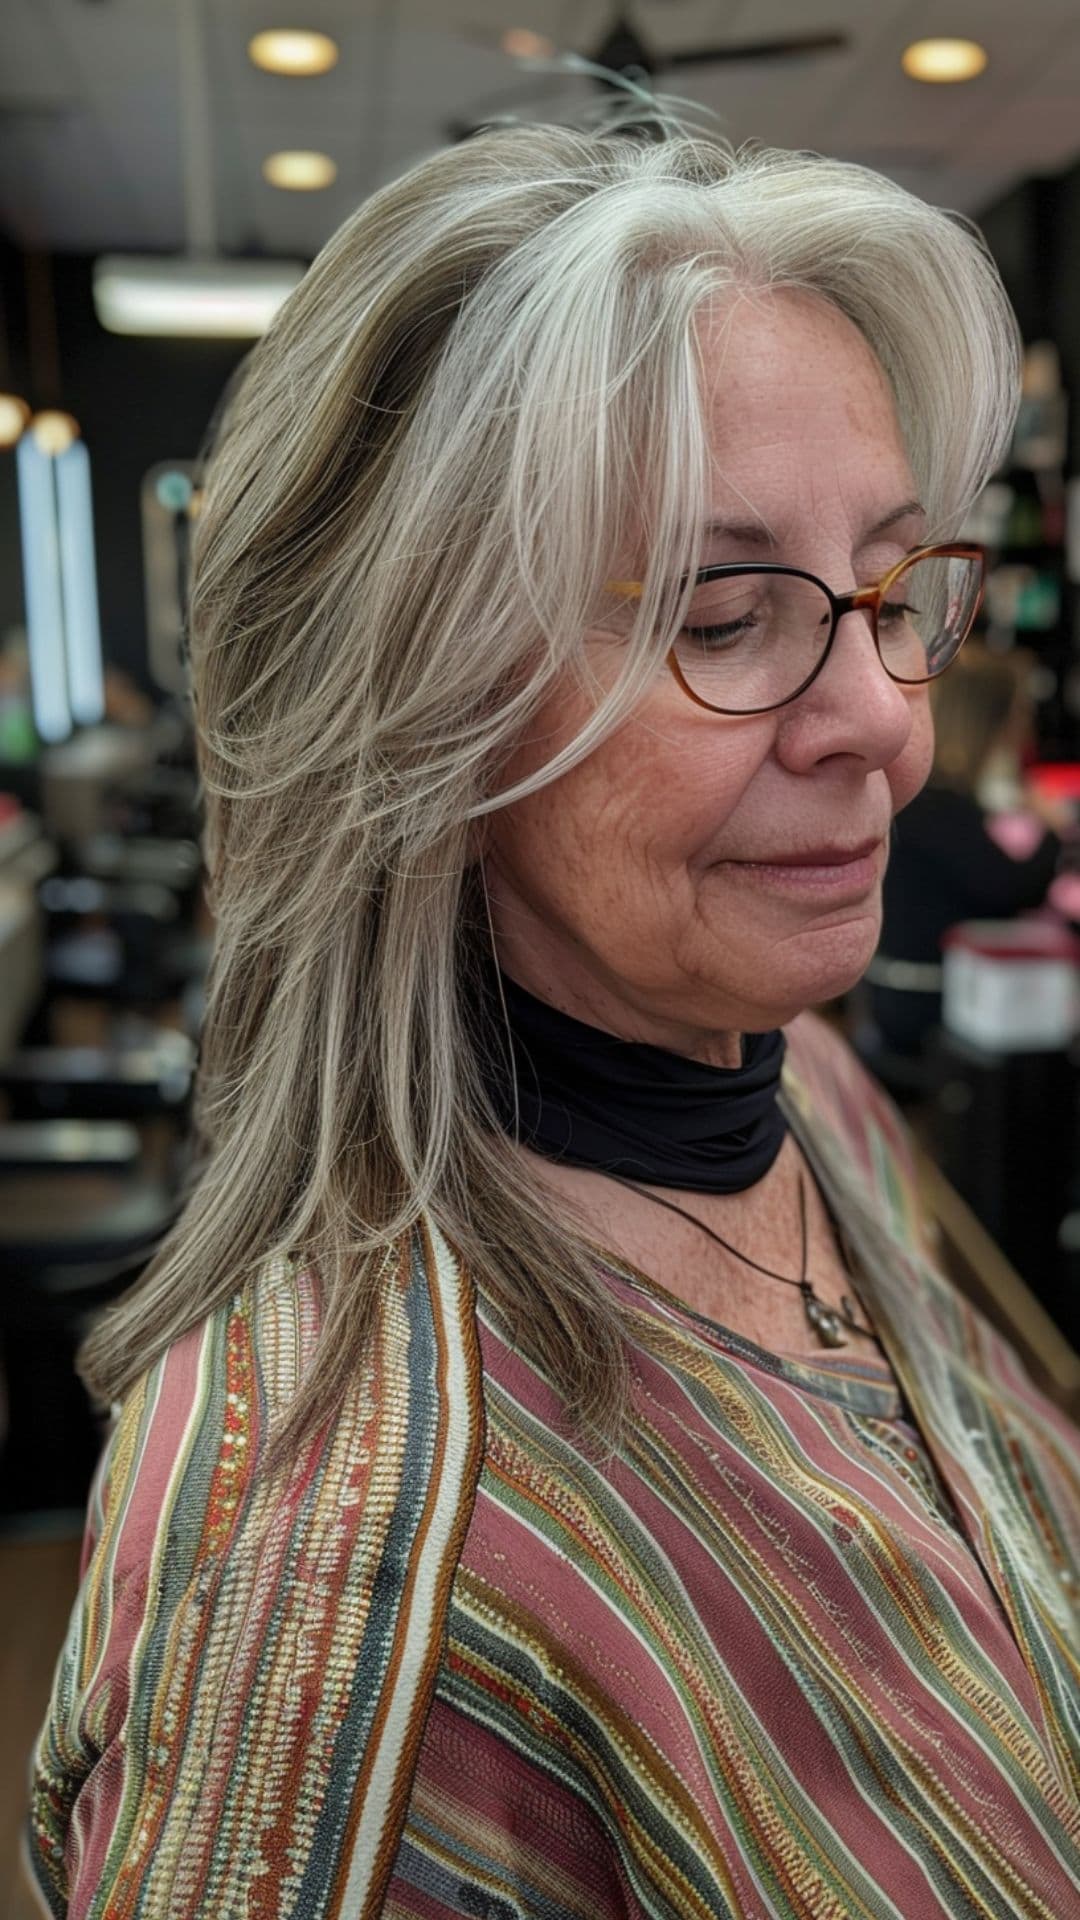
(952, 855)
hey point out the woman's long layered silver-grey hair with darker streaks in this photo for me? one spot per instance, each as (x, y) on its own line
(483, 396)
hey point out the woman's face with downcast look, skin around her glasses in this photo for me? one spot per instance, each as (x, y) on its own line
(700, 875)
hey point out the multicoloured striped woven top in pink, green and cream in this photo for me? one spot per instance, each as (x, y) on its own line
(808, 1646)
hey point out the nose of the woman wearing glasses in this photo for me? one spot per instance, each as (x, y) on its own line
(854, 708)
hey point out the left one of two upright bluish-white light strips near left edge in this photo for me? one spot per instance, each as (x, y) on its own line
(43, 592)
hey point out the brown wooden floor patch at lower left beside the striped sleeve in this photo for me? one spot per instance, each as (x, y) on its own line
(37, 1585)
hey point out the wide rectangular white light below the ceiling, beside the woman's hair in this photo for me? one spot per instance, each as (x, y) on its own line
(220, 299)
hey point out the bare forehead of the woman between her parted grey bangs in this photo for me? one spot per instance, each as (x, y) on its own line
(797, 404)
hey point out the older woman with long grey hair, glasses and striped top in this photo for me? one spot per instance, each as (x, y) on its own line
(549, 1474)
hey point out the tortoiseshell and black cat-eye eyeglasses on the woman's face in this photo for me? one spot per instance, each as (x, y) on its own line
(758, 636)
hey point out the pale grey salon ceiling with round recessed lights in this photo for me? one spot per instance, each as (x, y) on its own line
(91, 103)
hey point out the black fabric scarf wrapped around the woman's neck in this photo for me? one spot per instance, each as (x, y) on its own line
(595, 1101)
